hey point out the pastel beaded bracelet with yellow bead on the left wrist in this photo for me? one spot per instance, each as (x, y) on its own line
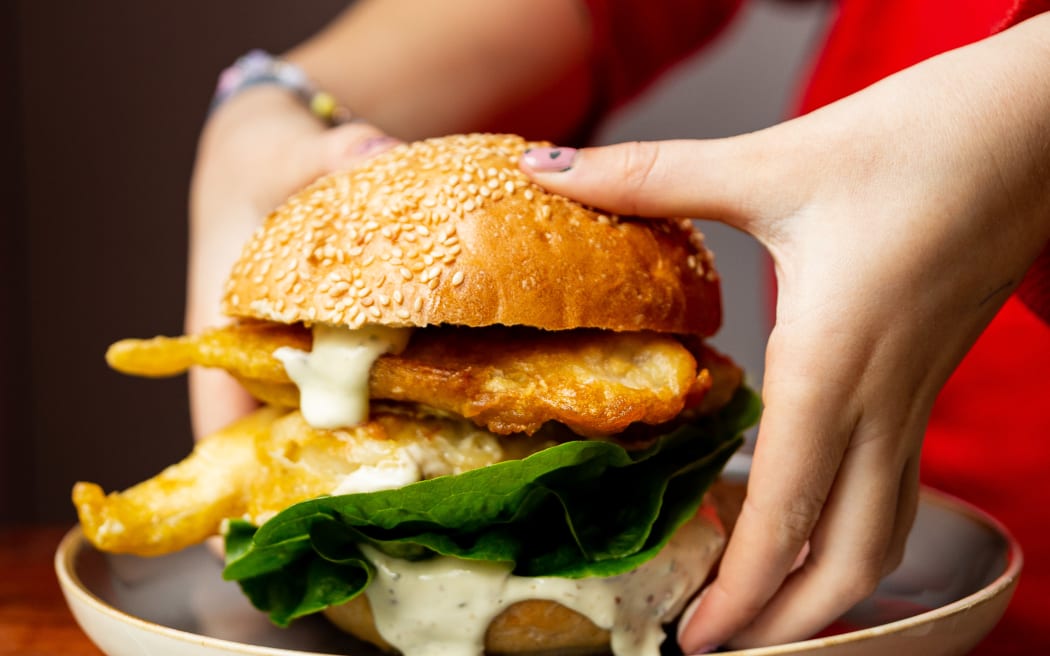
(261, 68)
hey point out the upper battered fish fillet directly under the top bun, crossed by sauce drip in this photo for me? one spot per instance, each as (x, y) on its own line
(506, 379)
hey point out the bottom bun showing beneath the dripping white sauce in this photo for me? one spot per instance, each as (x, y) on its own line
(536, 628)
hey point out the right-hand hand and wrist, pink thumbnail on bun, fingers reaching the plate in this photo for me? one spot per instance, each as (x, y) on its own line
(899, 221)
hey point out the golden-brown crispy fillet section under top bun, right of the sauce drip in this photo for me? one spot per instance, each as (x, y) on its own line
(514, 380)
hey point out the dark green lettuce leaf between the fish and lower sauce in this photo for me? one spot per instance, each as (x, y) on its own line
(583, 509)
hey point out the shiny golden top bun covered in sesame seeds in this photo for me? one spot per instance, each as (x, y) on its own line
(449, 230)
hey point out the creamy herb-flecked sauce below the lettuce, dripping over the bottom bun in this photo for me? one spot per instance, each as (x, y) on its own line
(443, 607)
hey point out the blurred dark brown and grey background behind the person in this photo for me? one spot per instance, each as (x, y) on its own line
(102, 104)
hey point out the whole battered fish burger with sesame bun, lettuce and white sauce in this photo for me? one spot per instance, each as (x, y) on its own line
(489, 417)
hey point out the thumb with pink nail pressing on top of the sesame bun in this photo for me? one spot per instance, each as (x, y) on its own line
(701, 179)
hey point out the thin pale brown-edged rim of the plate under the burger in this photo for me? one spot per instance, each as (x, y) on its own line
(75, 542)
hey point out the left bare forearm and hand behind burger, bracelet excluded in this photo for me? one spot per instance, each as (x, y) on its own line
(460, 60)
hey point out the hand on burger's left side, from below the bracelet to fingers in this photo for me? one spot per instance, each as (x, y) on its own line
(258, 149)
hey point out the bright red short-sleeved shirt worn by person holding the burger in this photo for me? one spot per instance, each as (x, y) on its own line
(989, 440)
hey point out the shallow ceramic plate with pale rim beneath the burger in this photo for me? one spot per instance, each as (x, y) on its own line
(959, 573)
